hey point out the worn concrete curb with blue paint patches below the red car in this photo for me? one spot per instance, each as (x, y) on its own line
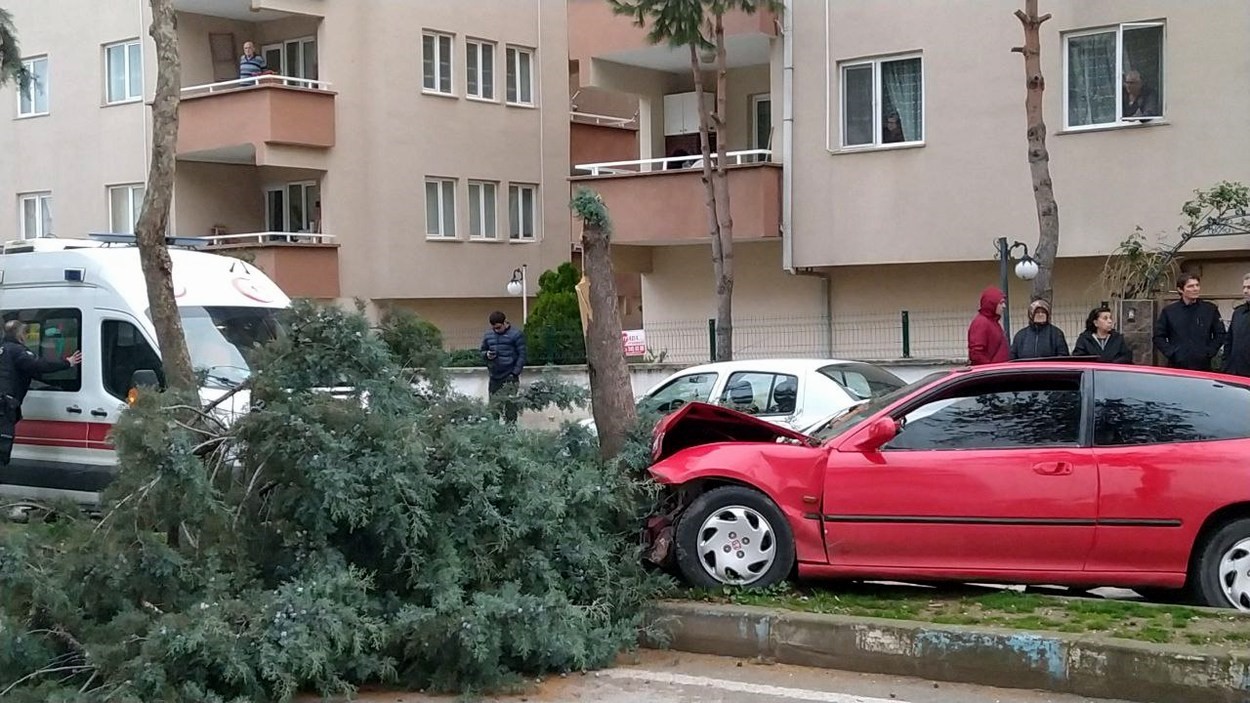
(1064, 664)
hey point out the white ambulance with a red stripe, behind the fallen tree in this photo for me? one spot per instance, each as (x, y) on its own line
(91, 296)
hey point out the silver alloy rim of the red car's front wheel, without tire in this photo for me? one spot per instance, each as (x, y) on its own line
(737, 546)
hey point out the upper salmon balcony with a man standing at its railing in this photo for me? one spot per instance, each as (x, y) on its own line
(271, 121)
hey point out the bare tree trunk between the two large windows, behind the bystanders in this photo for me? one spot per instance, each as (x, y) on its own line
(1039, 159)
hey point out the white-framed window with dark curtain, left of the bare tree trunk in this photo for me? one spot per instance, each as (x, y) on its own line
(883, 102)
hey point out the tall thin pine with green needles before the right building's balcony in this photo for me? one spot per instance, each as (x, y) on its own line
(699, 27)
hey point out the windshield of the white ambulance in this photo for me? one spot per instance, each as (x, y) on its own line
(221, 340)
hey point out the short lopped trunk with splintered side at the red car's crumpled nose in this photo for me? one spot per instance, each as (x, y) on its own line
(612, 398)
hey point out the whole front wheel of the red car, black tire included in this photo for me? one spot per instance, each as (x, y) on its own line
(713, 552)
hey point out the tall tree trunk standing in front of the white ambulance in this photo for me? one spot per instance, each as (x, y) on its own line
(154, 218)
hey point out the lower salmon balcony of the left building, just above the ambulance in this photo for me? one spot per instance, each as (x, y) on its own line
(303, 265)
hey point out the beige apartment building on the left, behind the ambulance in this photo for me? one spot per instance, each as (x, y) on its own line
(403, 153)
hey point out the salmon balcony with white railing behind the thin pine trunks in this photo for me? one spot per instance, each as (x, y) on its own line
(657, 202)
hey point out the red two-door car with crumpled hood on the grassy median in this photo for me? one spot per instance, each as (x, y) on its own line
(1071, 473)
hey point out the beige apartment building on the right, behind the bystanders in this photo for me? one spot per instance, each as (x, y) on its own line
(896, 156)
